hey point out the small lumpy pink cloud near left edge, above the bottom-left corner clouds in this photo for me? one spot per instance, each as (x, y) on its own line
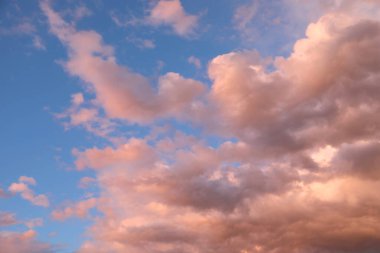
(22, 187)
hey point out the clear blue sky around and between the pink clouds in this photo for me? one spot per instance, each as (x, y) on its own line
(34, 86)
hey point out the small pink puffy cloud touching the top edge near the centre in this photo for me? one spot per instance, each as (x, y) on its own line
(172, 13)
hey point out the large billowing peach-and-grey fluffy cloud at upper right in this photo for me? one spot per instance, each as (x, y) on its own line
(317, 96)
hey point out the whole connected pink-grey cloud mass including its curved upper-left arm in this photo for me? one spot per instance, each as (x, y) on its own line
(296, 166)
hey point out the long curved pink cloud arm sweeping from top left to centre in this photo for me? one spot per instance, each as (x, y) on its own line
(121, 92)
